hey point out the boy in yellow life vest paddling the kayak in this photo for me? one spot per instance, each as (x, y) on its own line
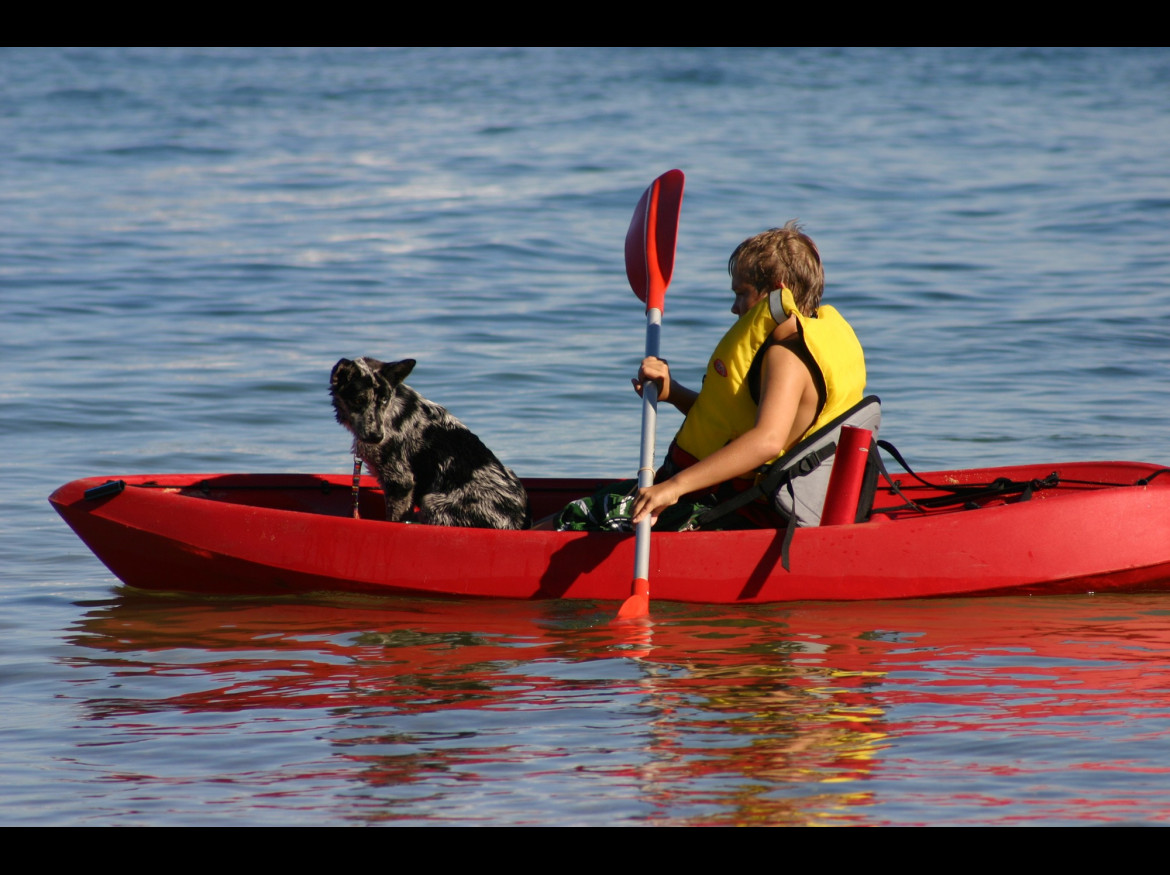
(787, 368)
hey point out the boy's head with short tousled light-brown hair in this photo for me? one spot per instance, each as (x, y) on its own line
(781, 257)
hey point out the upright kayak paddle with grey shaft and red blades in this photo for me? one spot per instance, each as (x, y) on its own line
(650, 261)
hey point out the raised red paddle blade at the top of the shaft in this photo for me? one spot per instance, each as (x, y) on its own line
(652, 239)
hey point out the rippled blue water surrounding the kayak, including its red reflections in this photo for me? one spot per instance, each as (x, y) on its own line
(191, 238)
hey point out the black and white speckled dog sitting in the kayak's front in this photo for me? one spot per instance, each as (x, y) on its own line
(423, 457)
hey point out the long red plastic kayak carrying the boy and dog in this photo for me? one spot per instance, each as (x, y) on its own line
(1095, 527)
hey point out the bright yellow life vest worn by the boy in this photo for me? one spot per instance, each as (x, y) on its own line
(725, 409)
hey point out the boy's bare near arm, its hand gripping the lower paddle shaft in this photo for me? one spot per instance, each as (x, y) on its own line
(784, 416)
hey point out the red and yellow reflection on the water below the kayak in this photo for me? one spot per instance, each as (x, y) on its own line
(777, 715)
